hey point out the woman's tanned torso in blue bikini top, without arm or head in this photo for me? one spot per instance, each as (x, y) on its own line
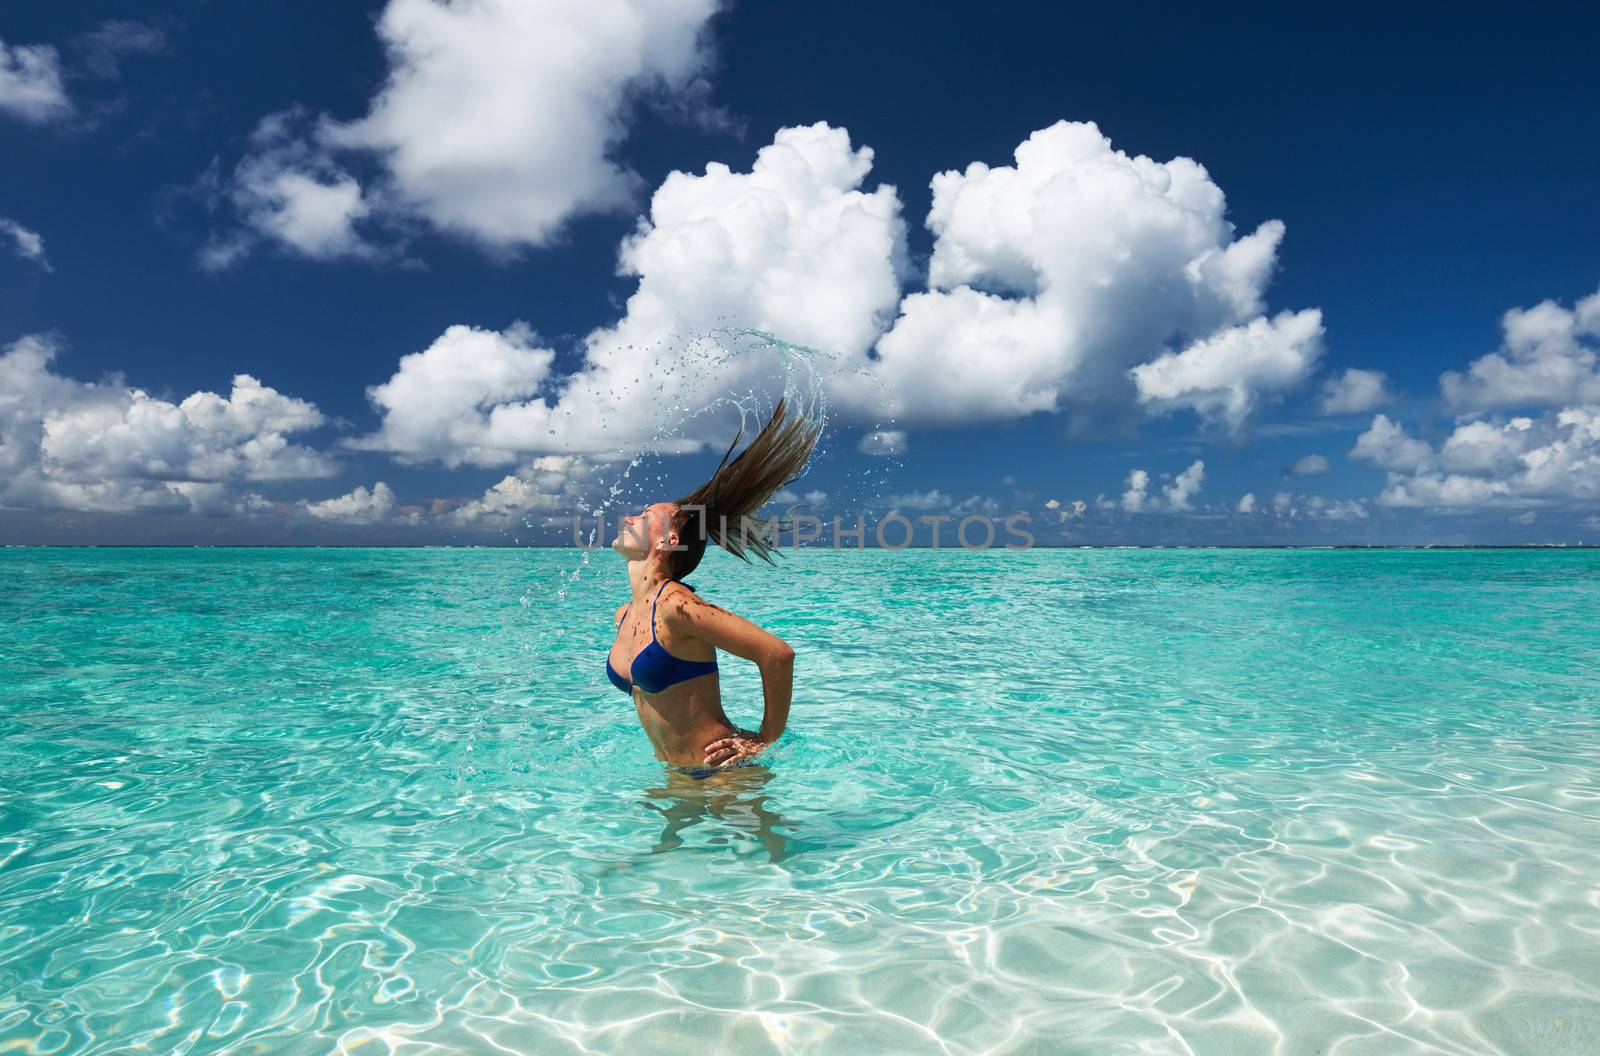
(684, 718)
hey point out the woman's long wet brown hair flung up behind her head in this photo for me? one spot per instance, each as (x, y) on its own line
(724, 506)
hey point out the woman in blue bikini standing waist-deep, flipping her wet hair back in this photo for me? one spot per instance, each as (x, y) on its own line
(665, 654)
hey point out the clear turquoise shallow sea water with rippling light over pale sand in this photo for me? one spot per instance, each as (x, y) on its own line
(1031, 802)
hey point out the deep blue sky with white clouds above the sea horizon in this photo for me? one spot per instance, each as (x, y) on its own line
(308, 194)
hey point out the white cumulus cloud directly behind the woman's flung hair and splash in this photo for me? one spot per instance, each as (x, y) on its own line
(793, 247)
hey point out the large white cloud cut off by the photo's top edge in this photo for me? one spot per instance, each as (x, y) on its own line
(498, 122)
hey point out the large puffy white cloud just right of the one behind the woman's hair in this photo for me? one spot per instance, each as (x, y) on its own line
(1055, 276)
